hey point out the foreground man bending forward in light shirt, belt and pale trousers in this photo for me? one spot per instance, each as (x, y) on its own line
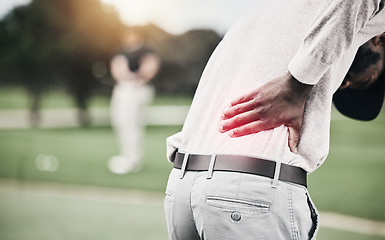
(240, 166)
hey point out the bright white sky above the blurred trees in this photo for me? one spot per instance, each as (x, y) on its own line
(175, 16)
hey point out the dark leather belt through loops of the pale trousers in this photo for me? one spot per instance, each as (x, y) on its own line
(243, 164)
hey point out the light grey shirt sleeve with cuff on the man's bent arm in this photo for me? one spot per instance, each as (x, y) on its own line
(331, 35)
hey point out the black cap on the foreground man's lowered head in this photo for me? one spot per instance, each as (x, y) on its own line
(364, 105)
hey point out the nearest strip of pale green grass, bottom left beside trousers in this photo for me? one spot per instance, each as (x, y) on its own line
(40, 217)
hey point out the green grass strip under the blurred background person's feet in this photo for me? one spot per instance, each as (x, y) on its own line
(83, 156)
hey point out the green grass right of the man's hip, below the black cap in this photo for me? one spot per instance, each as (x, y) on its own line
(351, 181)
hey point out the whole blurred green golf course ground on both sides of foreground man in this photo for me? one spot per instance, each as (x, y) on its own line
(81, 199)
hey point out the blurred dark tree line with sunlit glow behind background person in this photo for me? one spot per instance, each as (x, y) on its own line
(68, 44)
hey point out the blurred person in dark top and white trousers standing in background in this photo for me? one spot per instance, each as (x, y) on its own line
(132, 69)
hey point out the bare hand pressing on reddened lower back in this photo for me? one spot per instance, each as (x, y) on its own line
(279, 102)
